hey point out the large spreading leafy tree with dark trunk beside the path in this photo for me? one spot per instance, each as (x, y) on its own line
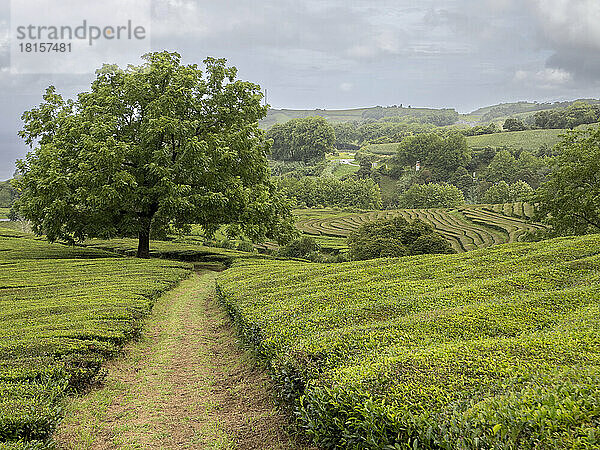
(148, 149)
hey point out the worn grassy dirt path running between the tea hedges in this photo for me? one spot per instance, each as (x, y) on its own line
(186, 384)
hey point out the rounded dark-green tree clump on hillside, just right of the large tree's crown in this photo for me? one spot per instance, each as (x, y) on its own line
(306, 140)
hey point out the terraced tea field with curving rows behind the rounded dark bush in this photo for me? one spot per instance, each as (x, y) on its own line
(466, 228)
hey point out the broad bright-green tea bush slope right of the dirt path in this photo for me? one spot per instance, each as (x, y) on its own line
(495, 348)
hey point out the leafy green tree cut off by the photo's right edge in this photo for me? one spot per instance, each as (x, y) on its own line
(569, 200)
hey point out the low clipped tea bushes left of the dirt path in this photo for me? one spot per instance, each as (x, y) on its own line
(63, 311)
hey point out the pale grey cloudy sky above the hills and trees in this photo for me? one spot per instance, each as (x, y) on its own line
(351, 53)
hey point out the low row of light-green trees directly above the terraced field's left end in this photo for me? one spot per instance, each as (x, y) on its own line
(329, 191)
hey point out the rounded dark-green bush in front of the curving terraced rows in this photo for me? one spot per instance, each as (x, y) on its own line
(395, 237)
